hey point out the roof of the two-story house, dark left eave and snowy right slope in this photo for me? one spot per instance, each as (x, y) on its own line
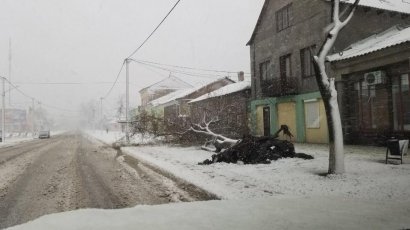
(400, 6)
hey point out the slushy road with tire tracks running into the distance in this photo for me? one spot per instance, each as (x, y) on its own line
(69, 172)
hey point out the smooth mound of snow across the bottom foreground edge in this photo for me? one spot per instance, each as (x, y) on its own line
(271, 213)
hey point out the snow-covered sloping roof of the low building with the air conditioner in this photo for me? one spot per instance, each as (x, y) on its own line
(391, 37)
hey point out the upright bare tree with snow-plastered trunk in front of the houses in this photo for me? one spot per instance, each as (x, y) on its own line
(327, 86)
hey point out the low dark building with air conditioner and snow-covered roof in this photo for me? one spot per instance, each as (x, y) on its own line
(372, 77)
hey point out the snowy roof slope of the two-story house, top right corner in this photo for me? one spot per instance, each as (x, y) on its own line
(401, 6)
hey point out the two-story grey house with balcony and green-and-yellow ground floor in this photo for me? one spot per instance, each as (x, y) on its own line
(287, 33)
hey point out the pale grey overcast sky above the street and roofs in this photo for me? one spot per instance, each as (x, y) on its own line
(65, 53)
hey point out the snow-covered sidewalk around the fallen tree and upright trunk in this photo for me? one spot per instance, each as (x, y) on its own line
(366, 177)
